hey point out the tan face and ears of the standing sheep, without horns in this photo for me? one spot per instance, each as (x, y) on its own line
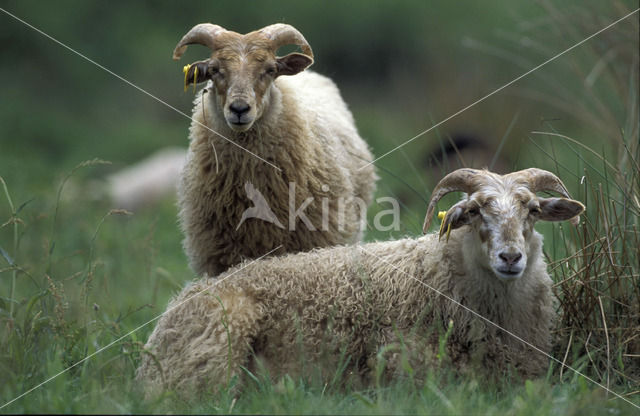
(242, 70)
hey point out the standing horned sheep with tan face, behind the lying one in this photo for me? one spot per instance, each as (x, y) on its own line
(294, 141)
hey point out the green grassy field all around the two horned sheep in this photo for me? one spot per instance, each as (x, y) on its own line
(81, 280)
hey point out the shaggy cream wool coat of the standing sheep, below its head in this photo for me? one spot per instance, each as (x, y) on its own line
(308, 133)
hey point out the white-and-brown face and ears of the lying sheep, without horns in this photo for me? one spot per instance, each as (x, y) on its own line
(502, 217)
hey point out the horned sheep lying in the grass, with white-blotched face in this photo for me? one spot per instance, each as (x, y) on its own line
(348, 305)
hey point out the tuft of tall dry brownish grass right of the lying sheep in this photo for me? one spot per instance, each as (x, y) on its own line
(599, 285)
